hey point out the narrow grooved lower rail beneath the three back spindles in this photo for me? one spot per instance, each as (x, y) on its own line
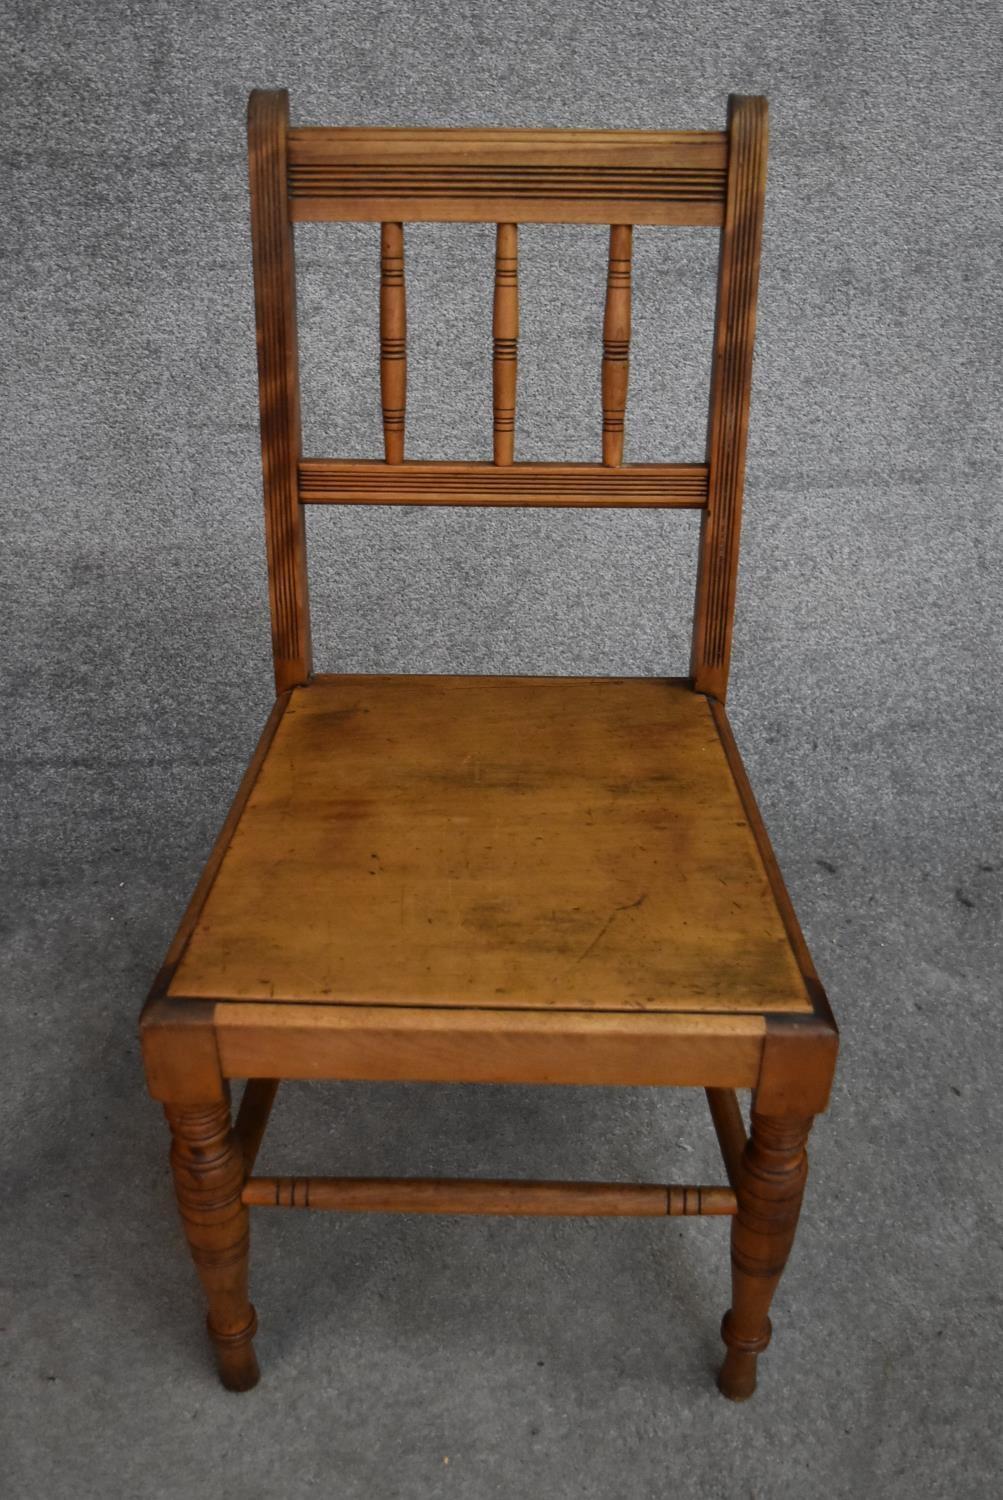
(367, 482)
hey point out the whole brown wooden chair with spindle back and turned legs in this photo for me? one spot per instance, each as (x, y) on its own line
(496, 880)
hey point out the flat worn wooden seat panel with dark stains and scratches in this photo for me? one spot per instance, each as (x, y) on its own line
(506, 842)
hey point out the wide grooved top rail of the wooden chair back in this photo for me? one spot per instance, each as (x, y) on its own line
(507, 176)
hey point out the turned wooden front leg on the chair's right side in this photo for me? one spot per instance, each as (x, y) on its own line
(770, 1190)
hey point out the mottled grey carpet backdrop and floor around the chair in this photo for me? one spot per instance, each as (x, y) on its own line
(419, 1358)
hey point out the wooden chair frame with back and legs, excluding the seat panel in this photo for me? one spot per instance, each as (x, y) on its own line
(194, 1048)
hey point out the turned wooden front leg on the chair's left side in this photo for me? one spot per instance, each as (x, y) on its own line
(209, 1175)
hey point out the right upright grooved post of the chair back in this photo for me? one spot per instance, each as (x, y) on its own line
(731, 389)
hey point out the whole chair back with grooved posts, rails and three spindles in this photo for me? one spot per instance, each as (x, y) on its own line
(507, 178)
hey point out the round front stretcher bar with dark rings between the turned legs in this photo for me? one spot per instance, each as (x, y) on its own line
(485, 1196)
